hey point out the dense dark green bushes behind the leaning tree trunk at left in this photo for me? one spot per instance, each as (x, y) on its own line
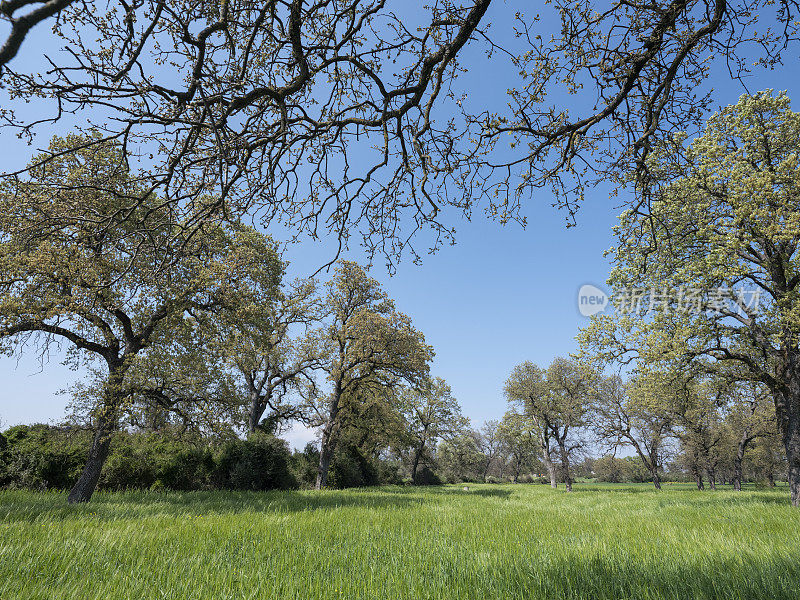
(44, 457)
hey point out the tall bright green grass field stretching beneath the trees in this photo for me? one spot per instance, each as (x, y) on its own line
(523, 541)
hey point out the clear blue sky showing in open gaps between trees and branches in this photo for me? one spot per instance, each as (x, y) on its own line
(501, 295)
